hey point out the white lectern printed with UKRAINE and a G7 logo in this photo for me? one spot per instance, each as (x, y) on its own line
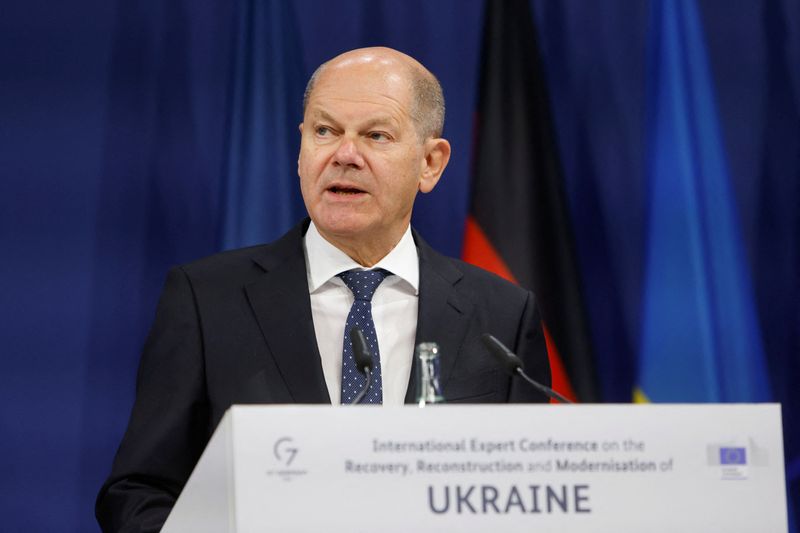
(588, 468)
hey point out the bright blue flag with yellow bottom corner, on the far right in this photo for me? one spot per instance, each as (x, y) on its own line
(700, 339)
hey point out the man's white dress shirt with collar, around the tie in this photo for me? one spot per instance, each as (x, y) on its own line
(394, 310)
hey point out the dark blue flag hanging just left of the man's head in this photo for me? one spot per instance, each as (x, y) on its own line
(260, 201)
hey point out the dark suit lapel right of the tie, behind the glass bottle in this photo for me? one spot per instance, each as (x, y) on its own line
(443, 315)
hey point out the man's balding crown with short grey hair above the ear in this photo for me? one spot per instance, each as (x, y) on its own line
(427, 101)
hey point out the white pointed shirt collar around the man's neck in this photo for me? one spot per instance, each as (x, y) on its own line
(324, 261)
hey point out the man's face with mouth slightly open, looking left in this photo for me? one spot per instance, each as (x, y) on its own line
(361, 161)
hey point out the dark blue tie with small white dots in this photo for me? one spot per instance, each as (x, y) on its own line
(363, 284)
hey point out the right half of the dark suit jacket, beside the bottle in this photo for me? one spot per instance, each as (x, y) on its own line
(458, 303)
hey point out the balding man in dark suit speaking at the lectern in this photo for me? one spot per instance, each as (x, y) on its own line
(267, 324)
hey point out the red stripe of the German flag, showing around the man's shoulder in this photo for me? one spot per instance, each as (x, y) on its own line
(478, 250)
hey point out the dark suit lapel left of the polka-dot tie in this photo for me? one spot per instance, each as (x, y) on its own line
(282, 306)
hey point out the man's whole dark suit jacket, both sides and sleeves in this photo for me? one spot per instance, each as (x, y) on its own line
(236, 328)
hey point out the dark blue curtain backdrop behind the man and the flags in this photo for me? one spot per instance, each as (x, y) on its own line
(115, 128)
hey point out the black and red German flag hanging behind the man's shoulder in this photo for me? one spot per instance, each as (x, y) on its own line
(519, 225)
